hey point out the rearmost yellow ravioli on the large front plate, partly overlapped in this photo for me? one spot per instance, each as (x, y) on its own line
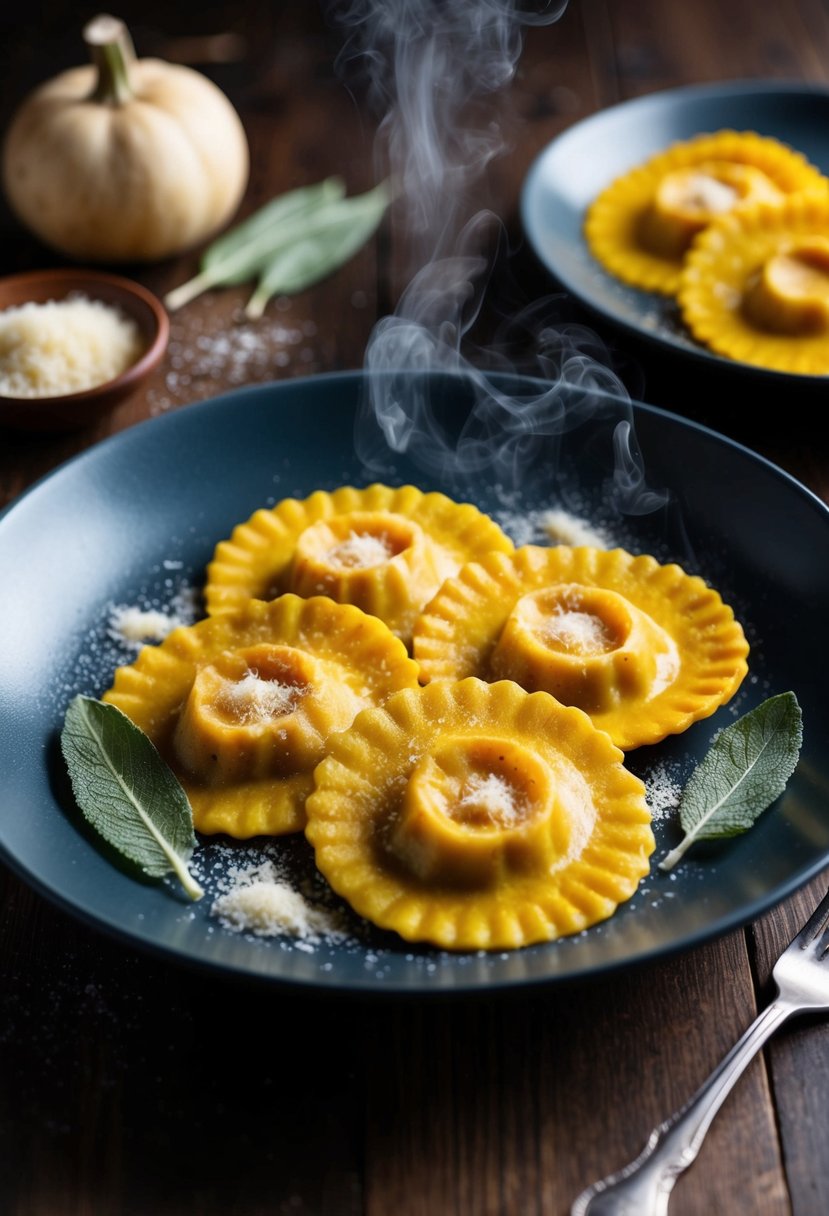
(386, 550)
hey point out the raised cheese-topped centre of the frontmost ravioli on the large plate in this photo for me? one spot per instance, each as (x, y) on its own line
(476, 810)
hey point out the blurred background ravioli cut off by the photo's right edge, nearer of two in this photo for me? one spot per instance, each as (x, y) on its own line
(757, 286)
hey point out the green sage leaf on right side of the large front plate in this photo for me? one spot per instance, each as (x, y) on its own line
(748, 767)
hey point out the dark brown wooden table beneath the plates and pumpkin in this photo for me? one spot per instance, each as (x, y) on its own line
(132, 1086)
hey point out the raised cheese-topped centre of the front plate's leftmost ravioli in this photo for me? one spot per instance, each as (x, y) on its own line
(251, 714)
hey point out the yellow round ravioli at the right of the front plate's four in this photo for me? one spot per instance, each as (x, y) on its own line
(646, 650)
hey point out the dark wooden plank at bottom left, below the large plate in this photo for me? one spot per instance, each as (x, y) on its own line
(134, 1086)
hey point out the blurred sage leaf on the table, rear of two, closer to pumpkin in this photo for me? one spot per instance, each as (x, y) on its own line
(239, 255)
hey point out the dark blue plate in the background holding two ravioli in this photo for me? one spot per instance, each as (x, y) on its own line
(572, 171)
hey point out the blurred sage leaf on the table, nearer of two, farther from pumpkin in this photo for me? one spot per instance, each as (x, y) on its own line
(332, 237)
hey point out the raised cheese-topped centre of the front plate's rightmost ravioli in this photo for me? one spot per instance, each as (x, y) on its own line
(588, 646)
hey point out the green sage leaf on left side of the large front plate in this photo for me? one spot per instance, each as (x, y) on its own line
(127, 791)
